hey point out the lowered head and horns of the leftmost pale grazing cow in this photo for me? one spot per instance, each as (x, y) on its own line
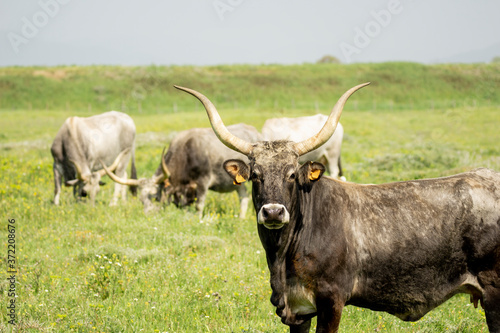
(87, 184)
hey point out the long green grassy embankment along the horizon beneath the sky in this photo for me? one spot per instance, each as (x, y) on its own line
(149, 89)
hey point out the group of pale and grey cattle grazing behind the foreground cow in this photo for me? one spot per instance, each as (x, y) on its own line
(85, 149)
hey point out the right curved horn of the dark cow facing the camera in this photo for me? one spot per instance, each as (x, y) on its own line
(328, 129)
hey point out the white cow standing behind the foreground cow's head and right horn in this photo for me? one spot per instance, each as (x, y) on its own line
(299, 129)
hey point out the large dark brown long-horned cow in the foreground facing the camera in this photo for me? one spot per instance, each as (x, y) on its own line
(403, 248)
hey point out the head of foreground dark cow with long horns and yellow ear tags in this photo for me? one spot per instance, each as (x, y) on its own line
(274, 166)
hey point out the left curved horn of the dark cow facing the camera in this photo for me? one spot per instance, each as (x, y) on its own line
(218, 126)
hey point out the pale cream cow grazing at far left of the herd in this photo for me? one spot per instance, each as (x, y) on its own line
(82, 142)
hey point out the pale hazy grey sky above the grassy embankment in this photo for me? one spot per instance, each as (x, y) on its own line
(206, 32)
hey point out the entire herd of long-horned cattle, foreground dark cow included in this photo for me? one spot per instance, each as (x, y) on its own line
(403, 248)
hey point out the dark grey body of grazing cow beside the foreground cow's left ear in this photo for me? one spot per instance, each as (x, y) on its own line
(194, 161)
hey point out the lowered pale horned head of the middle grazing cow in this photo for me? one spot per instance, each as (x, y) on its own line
(148, 187)
